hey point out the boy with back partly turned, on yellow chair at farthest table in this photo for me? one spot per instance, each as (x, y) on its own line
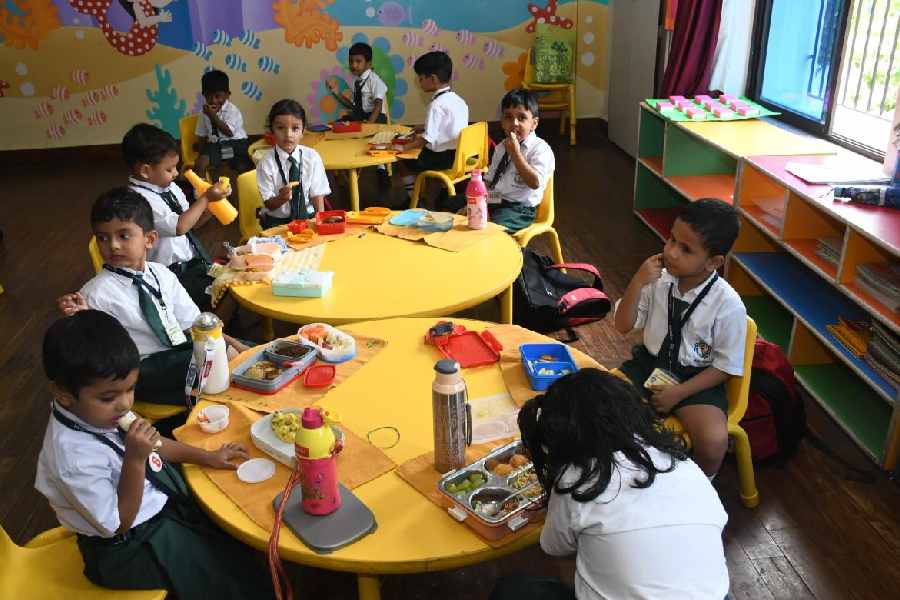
(446, 115)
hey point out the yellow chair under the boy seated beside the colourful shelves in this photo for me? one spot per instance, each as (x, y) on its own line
(737, 390)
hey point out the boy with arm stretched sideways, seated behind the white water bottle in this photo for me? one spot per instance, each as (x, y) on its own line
(145, 297)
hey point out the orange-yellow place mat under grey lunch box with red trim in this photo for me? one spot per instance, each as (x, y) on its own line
(295, 394)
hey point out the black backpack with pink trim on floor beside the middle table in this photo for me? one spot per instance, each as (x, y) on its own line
(545, 299)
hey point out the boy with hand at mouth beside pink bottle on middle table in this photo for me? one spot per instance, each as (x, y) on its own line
(520, 168)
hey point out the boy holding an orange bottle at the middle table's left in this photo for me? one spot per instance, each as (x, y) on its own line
(152, 158)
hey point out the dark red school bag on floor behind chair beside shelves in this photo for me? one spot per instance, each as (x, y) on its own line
(775, 420)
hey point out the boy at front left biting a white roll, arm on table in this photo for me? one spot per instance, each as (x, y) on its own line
(138, 527)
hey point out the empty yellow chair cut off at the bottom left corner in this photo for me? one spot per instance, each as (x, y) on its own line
(50, 566)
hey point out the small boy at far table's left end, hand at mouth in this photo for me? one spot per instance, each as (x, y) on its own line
(220, 128)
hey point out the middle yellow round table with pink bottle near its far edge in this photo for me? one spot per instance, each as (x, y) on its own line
(379, 277)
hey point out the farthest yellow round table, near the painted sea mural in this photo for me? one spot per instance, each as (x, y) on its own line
(343, 152)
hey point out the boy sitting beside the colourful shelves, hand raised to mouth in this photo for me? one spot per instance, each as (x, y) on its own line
(694, 326)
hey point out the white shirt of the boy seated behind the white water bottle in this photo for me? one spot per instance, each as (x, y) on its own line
(117, 295)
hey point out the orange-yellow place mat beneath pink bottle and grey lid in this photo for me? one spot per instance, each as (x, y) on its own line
(358, 463)
